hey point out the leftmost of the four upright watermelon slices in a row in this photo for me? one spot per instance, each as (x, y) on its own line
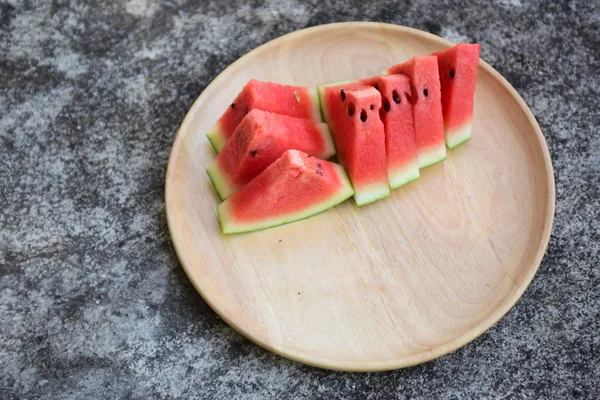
(352, 112)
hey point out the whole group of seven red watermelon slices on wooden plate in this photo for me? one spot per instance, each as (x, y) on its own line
(274, 140)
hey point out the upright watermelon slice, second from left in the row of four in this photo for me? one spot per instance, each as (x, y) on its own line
(397, 116)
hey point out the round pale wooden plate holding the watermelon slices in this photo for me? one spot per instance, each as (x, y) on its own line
(392, 284)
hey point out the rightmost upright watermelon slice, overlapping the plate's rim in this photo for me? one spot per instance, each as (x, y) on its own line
(458, 77)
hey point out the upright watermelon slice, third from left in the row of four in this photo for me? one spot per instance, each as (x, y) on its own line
(427, 108)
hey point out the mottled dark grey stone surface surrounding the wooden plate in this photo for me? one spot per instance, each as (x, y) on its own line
(93, 302)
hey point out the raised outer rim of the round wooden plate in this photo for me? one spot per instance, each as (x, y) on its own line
(460, 341)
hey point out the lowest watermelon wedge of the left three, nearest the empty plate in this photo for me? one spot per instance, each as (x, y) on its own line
(294, 187)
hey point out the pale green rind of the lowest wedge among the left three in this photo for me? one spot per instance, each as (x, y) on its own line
(228, 226)
